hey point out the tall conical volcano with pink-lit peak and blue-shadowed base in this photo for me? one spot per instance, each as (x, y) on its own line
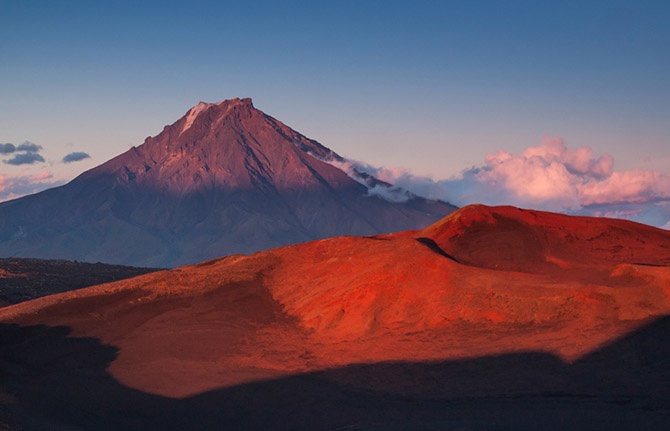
(225, 178)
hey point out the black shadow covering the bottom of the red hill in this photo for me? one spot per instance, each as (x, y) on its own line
(53, 381)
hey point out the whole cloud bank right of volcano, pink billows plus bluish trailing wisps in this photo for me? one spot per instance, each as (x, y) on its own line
(550, 177)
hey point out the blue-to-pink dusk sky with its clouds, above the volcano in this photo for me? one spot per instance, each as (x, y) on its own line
(559, 105)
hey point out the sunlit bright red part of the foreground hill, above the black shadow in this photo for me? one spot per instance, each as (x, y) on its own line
(484, 281)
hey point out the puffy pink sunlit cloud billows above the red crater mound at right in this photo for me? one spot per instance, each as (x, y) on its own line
(555, 177)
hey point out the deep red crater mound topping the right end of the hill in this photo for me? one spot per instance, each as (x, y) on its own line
(509, 238)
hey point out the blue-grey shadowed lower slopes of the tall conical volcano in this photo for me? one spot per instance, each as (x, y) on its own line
(153, 228)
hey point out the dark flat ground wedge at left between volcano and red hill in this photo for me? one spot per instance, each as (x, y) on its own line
(24, 279)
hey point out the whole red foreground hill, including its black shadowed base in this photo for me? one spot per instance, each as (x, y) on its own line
(493, 318)
